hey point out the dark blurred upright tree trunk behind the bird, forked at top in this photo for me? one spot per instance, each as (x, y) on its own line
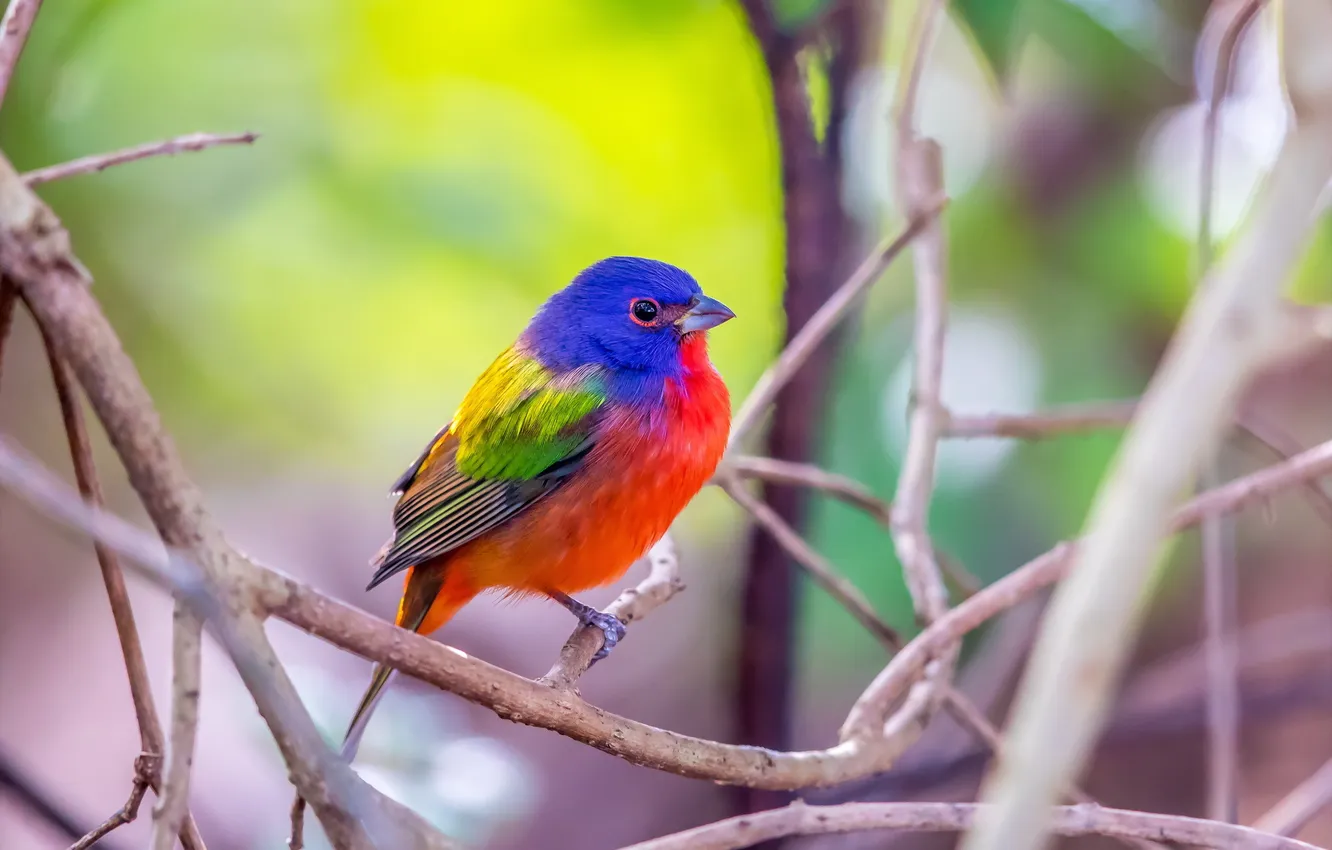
(819, 235)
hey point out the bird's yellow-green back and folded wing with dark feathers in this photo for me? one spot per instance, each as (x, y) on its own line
(517, 438)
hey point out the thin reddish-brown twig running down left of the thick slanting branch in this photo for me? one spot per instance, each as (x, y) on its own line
(151, 739)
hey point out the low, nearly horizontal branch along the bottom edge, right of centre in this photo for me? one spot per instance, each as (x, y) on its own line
(1086, 820)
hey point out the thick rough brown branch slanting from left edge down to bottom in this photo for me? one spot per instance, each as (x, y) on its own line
(35, 254)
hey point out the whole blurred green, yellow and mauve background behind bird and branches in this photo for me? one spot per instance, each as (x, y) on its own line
(310, 311)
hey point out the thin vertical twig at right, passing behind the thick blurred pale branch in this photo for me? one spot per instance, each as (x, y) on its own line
(1221, 579)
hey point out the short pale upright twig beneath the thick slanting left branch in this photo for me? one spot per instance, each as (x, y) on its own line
(187, 664)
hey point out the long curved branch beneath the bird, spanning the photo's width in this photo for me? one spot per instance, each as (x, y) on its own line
(864, 751)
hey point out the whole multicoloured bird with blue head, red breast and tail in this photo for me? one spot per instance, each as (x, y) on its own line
(569, 458)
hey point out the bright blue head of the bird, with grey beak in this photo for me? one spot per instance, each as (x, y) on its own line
(625, 314)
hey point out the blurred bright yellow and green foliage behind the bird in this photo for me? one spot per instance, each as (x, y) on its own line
(430, 173)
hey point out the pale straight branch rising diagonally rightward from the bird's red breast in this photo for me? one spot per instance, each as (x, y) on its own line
(821, 324)
